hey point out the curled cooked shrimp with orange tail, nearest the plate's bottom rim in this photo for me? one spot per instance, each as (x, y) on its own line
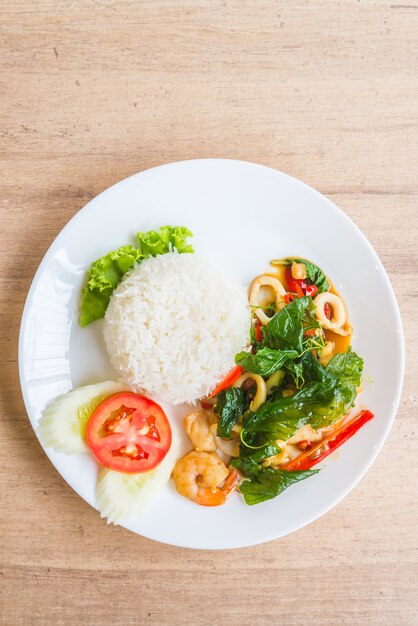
(204, 478)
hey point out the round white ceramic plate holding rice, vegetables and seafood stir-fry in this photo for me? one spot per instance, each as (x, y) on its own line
(242, 215)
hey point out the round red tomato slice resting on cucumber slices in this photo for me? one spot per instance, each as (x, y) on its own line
(129, 433)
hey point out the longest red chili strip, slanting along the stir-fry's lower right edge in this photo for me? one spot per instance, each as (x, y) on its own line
(333, 441)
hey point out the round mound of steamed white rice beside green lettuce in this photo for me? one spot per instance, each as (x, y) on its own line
(174, 325)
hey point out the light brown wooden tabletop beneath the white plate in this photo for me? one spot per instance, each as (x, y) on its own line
(95, 91)
